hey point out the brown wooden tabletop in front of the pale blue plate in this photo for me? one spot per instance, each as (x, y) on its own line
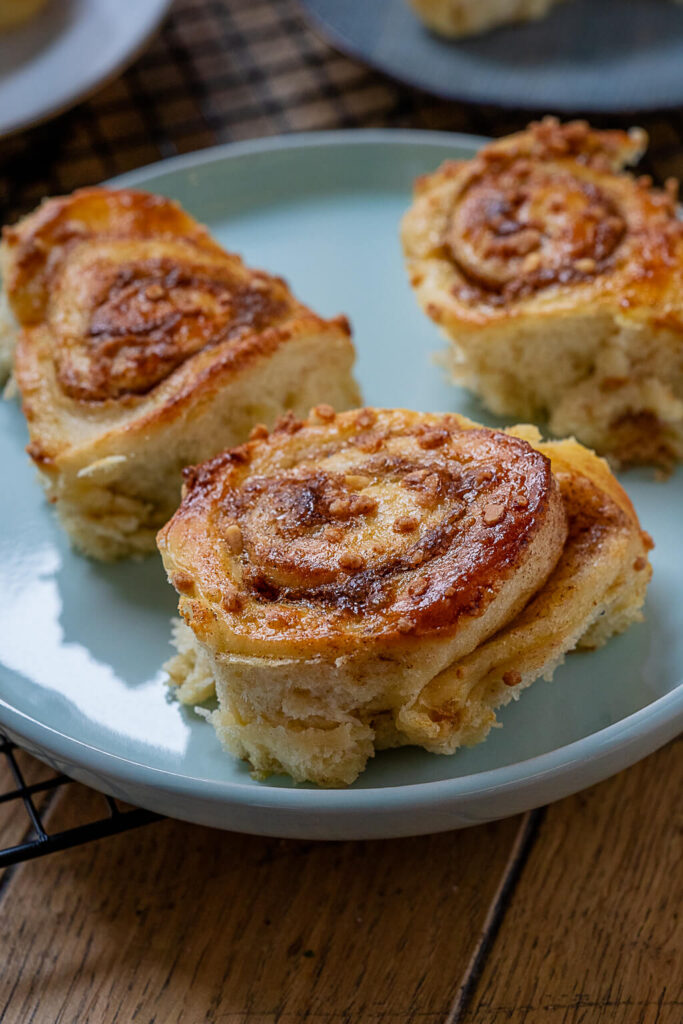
(567, 916)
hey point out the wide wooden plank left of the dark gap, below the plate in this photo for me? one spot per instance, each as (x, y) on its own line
(183, 925)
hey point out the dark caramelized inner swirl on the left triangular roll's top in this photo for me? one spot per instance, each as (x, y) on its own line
(140, 319)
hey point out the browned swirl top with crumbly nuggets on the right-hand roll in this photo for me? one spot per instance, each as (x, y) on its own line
(549, 207)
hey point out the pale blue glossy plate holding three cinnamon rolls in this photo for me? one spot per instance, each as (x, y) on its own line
(81, 645)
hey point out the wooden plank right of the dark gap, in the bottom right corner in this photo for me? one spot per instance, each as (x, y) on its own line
(594, 932)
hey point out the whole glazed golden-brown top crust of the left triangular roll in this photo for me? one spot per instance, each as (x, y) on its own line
(131, 287)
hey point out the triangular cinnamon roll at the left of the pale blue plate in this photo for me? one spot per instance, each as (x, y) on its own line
(145, 347)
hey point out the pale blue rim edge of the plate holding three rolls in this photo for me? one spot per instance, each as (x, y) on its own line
(657, 722)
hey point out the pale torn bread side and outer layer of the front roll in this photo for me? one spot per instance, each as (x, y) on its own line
(321, 721)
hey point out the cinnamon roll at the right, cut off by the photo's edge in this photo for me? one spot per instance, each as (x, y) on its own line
(558, 277)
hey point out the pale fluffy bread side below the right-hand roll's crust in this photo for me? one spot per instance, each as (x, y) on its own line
(618, 387)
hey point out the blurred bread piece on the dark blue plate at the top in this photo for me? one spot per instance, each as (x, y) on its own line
(468, 18)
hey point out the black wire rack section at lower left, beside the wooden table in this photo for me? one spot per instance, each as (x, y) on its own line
(37, 840)
